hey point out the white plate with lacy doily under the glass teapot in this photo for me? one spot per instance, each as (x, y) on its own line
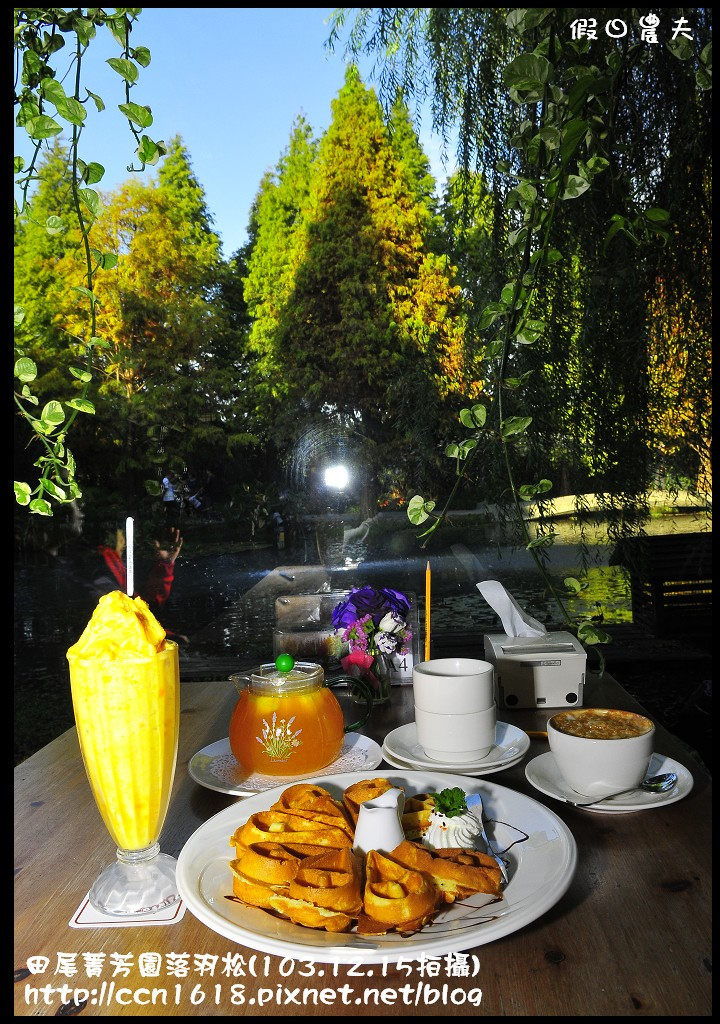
(216, 767)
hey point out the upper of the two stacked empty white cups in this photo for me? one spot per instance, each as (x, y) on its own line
(454, 686)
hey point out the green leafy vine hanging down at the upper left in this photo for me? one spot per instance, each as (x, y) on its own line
(40, 34)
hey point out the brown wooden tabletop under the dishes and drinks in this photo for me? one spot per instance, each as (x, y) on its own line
(631, 936)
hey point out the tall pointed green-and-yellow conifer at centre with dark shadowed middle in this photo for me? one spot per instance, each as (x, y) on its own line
(368, 333)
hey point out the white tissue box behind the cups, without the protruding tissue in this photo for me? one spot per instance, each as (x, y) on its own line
(537, 672)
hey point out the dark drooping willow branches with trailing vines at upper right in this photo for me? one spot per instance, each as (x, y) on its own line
(567, 135)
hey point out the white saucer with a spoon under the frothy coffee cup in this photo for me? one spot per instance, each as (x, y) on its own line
(544, 775)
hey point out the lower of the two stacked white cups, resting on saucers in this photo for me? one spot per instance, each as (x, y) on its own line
(456, 739)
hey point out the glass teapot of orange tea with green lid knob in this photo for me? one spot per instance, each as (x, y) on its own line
(288, 721)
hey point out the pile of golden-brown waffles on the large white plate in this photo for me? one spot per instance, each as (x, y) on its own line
(297, 862)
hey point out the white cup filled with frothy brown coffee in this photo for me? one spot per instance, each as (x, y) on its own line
(601, 752)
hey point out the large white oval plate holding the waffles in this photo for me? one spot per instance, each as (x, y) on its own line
(541, 869)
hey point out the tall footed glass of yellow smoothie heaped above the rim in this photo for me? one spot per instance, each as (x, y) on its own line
(124, 677)
